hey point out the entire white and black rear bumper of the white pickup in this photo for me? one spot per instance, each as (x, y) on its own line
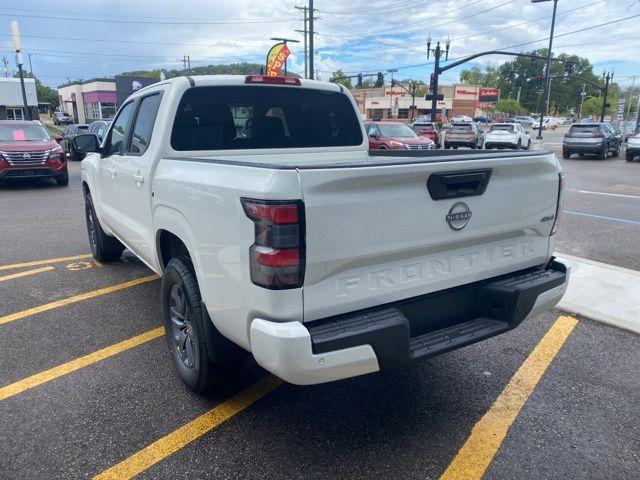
(395, 334)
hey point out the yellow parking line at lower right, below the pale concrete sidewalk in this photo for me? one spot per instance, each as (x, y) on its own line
(476, 454)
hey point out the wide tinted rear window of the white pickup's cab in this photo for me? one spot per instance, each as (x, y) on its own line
(255, 117)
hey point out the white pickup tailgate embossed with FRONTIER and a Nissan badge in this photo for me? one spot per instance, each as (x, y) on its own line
(374, 234)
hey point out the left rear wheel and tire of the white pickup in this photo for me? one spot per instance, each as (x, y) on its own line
(187, 328)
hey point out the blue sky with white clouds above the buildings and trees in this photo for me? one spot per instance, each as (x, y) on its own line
(80, 39)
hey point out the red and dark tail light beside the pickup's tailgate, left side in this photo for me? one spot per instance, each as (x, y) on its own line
(277, 256)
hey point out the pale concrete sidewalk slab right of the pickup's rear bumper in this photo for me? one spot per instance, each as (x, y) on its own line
(603, 292)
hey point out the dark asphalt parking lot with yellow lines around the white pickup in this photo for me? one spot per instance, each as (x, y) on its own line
(87, 388)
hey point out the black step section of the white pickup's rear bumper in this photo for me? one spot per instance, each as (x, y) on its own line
(431, 324)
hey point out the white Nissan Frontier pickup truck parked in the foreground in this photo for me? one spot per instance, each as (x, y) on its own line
(276, 231)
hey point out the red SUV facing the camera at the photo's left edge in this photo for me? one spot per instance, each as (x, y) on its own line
(28, 151)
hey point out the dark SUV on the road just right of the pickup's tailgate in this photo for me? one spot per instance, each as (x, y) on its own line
(591, 139)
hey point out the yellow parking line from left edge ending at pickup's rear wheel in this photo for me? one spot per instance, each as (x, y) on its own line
(78, 363)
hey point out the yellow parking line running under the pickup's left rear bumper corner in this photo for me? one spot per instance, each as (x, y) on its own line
(174, 441)
